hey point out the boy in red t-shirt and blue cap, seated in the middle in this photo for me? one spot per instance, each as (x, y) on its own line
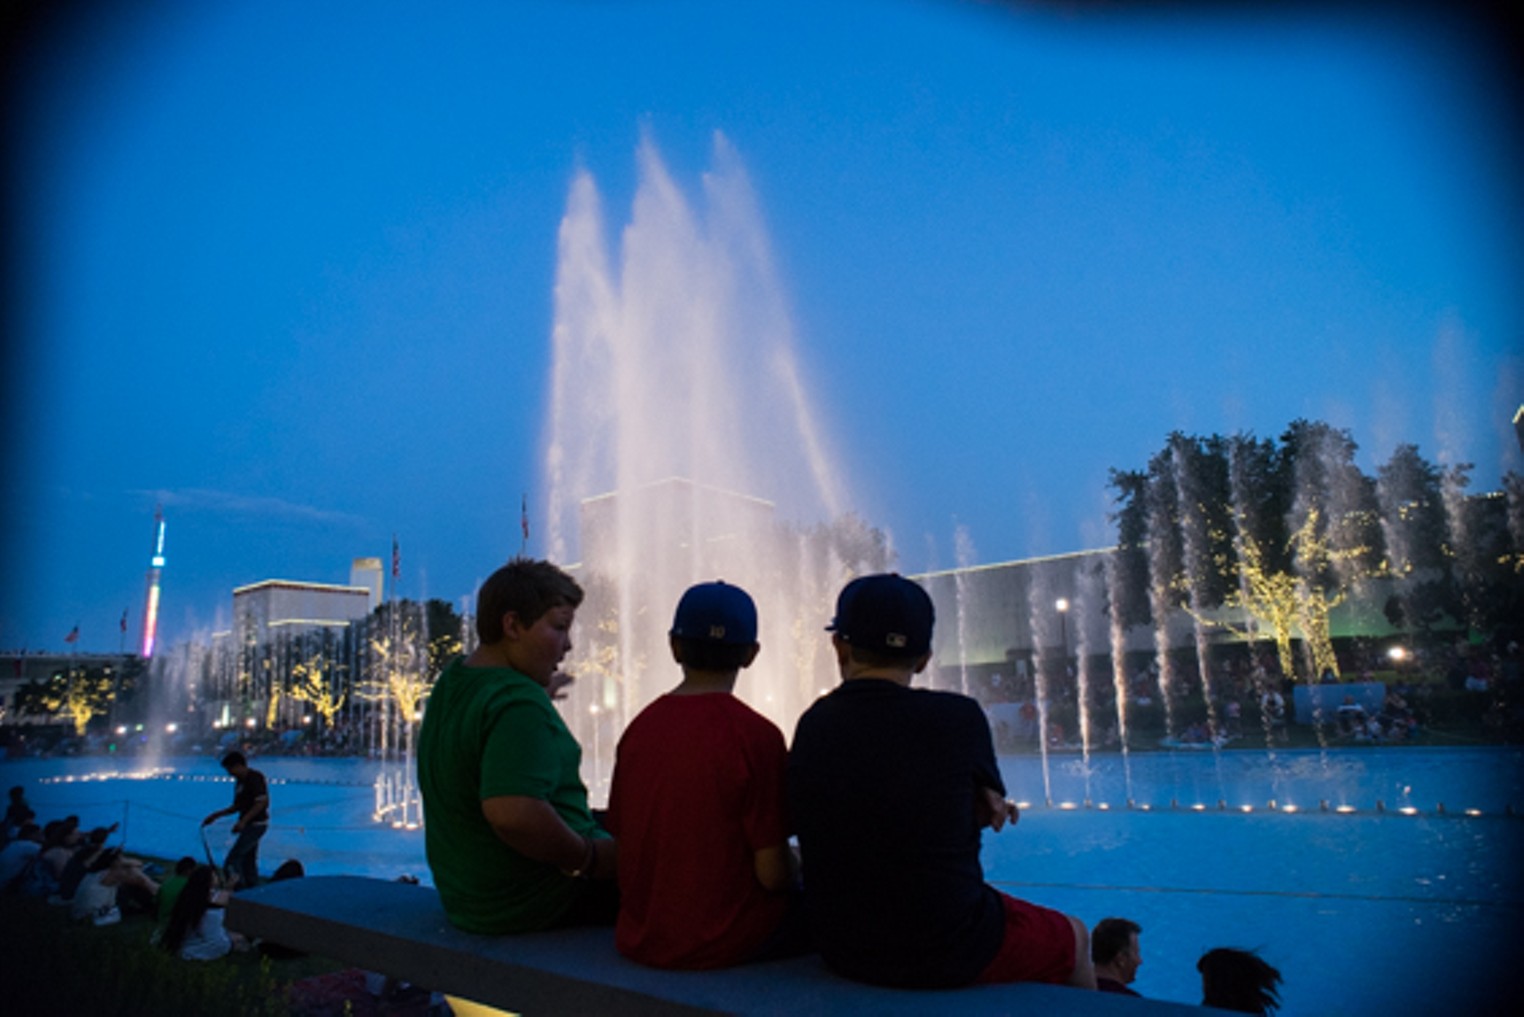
(697, 804)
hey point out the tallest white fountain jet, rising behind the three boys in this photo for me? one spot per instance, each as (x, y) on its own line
(682, 449)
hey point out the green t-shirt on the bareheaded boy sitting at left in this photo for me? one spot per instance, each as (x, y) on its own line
(490, 733)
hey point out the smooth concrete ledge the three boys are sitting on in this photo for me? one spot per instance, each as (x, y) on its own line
(402, 931)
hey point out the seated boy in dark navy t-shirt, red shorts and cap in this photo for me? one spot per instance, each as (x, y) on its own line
(891, 788)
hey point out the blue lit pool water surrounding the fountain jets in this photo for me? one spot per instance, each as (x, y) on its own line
(1401, 910)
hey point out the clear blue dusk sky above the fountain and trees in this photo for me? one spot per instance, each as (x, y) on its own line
(287, 268)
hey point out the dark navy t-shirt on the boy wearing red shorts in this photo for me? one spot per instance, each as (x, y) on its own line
(883, 783)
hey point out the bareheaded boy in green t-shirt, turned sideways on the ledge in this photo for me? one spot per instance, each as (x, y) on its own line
(508, 833)
